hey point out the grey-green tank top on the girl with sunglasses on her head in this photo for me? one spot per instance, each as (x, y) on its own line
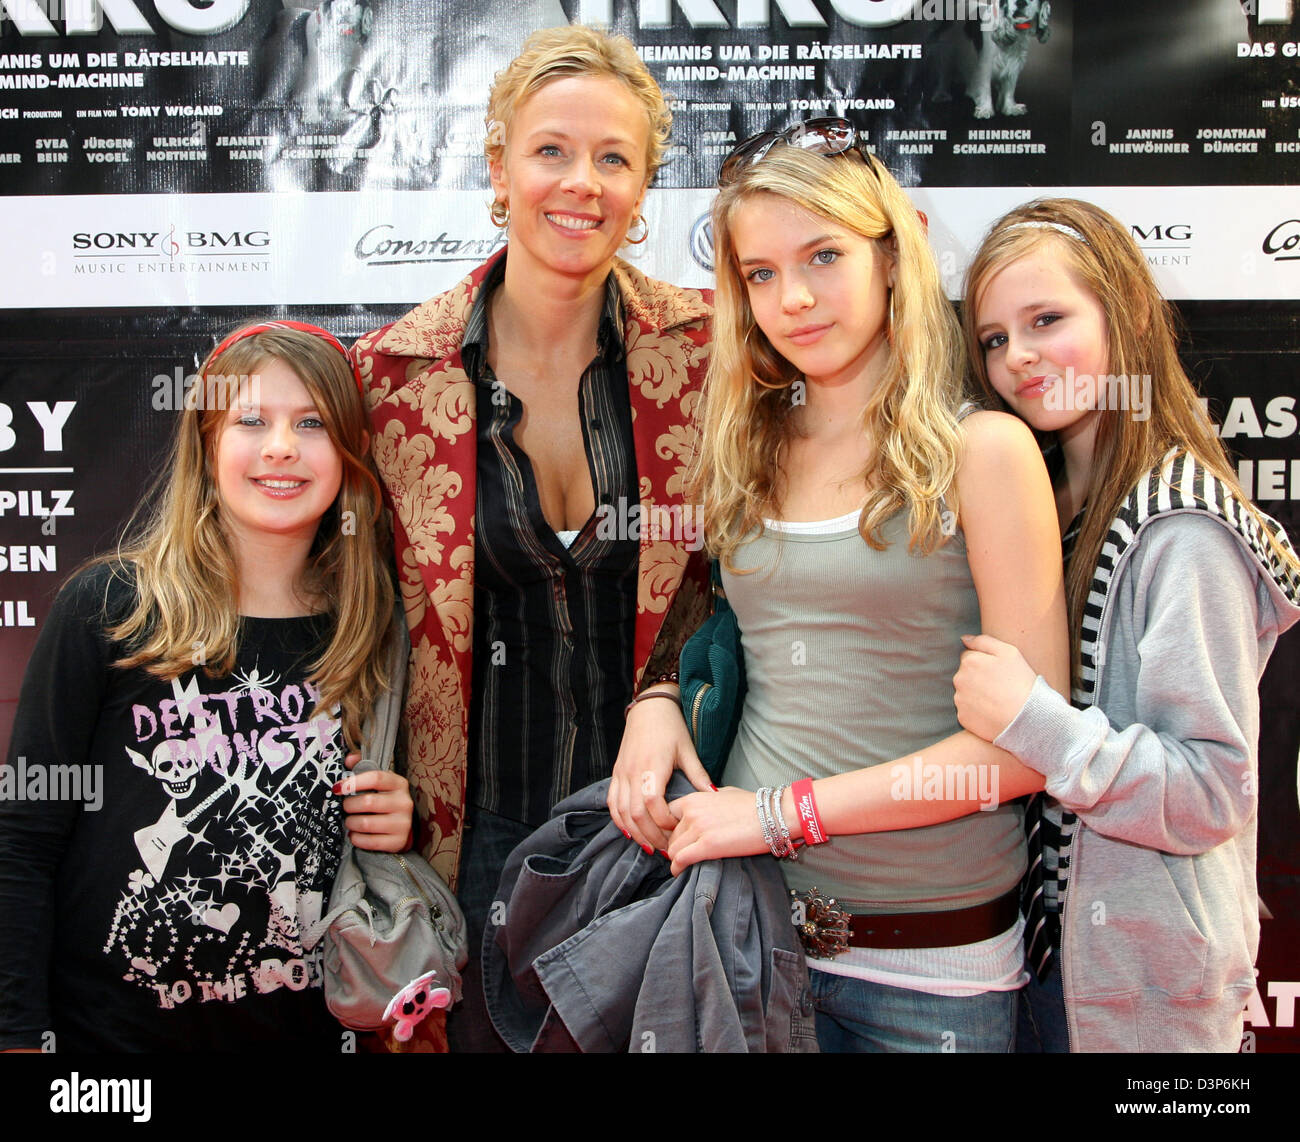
(850, 659)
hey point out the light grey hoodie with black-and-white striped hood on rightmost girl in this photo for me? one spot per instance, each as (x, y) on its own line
(1160, 924)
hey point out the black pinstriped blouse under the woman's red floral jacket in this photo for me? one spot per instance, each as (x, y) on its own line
(553, 626)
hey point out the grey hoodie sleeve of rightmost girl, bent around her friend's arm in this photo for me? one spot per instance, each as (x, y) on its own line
(1195, 628)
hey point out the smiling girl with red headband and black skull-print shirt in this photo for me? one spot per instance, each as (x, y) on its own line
(203, 685)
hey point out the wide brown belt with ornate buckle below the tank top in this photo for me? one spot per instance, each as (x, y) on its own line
(827, 931)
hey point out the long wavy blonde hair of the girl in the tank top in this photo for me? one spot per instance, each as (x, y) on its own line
(747, 416)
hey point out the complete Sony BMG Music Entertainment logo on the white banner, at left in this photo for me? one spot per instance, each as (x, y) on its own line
(171, 250)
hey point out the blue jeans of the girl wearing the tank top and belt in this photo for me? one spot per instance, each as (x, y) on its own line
(856, 1015)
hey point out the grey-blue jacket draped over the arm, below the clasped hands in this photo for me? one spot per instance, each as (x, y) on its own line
(604, 950)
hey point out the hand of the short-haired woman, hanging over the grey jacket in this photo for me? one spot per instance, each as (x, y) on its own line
(655, 743)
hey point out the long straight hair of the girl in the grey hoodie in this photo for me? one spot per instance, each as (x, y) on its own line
(1142, 343)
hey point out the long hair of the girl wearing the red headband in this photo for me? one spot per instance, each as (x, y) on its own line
(179, 559)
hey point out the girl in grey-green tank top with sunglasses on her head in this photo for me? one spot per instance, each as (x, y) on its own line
(864, 525)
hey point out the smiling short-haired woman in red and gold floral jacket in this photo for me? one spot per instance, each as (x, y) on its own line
(522, 422)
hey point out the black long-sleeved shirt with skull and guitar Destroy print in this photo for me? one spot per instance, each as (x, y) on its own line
(164, 845)
